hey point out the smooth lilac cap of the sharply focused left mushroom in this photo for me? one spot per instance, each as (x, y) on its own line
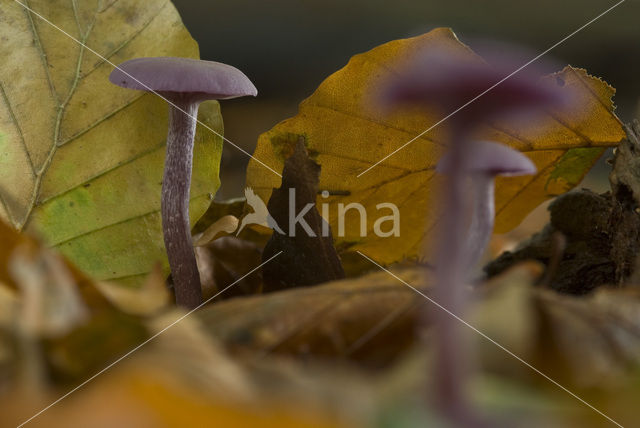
(203, 79)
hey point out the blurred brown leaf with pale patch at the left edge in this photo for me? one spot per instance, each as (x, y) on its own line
(66, 328)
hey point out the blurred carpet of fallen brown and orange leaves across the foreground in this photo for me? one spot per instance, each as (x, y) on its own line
(55, 336)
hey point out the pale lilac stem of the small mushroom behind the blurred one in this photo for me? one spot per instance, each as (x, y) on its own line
(482, 218)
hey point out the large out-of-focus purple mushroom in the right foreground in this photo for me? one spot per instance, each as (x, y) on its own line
(467, 92)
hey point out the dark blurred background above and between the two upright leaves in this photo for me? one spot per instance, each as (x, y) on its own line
(287, 47)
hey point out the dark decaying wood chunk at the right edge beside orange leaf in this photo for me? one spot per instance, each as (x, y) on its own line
(602, 231)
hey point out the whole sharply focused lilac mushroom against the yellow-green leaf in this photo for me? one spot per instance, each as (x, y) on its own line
(184, 83)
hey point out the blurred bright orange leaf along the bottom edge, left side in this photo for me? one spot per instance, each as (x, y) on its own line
(150, 398)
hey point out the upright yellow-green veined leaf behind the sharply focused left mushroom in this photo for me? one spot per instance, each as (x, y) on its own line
(81, 160)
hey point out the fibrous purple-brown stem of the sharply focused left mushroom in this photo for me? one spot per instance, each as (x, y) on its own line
(175, 202)
